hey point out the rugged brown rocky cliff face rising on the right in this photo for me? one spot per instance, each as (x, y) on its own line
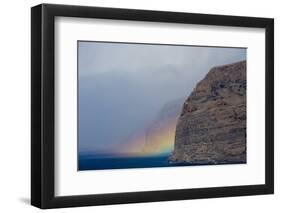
(212, 126)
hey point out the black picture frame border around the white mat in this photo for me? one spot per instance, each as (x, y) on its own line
(43, 102)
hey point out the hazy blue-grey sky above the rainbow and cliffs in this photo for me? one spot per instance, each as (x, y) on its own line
(122, 87)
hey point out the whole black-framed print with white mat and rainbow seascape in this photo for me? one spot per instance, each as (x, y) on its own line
(139, 106)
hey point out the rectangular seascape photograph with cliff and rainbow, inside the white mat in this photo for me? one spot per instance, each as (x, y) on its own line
(144, 105)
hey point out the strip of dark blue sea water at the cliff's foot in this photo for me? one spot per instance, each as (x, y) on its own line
(88, 162)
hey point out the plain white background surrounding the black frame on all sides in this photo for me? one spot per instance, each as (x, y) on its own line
(15, 105)
